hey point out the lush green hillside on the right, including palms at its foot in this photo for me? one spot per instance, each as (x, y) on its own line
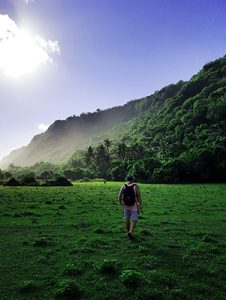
(175, 136)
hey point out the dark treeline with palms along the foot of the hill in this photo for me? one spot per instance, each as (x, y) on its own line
(116, 161)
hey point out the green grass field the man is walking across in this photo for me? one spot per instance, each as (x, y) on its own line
(70, 243)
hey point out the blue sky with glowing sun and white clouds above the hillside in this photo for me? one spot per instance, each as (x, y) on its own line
(60, 58)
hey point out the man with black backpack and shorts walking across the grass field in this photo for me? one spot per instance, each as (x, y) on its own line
(129, 197)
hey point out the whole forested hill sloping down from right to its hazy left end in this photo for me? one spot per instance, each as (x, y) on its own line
(180, 126)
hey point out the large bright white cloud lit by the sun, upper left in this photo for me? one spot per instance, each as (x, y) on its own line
(20, 52)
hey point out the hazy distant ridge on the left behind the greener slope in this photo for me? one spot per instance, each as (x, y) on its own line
(64, 137)
